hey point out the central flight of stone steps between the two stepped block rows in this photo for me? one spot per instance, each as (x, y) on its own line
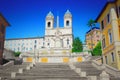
(50, 71)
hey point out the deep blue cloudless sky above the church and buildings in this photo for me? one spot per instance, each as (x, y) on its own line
(27, 17)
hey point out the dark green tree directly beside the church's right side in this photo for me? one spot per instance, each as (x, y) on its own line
(77, 45)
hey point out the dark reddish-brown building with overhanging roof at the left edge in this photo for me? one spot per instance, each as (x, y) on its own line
(3, 25)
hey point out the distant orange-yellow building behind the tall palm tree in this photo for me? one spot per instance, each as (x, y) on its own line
(92, 37)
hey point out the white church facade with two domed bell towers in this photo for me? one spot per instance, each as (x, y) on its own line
(58, 38)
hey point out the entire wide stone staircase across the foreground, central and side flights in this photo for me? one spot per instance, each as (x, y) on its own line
(52, 71)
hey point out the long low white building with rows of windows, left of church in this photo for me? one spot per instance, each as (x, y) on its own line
(24, 44)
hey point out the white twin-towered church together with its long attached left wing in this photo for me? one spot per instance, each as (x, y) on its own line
(56, 38)
